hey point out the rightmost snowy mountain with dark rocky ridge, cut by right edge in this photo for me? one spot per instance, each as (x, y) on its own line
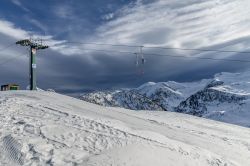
(226, 98)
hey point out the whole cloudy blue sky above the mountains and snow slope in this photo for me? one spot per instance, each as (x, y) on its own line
(79, 33)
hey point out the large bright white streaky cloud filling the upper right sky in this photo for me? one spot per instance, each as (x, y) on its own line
(188, 23)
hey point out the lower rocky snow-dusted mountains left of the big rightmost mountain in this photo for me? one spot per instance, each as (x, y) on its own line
(149, 96)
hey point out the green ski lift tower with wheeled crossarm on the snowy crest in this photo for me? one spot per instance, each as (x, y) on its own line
(34, 45)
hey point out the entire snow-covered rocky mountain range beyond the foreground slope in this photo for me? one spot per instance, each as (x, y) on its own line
(225, 97)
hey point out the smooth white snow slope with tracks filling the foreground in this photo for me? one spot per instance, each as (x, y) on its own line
(45, 128)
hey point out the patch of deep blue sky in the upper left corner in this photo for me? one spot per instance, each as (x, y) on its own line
(62, 17)
